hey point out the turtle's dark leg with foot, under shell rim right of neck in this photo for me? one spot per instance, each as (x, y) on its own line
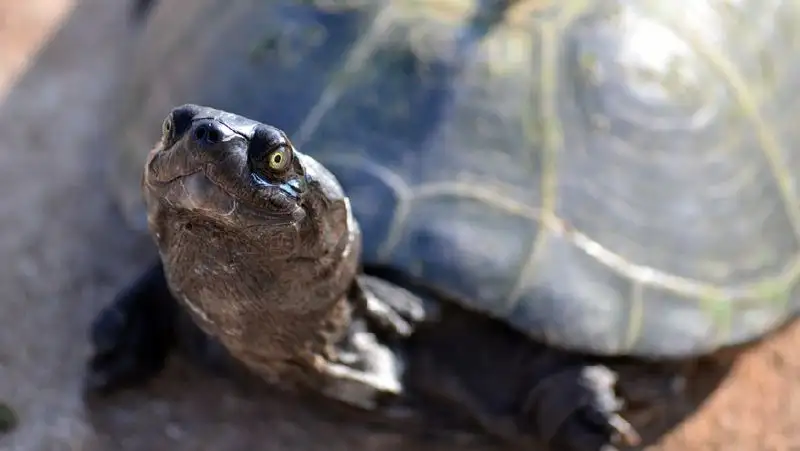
(514, 388)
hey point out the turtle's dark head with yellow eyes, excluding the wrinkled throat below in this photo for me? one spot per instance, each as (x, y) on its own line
(235, 175)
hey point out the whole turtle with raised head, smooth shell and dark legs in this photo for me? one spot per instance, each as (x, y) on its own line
(488, 202)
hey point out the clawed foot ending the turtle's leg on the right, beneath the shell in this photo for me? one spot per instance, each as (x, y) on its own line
(577, 410)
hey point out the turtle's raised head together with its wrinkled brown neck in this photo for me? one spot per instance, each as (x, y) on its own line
(248, 229)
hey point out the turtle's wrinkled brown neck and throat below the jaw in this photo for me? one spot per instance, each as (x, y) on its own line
(265, 290)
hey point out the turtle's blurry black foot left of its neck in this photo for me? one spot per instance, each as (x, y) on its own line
(132, 336)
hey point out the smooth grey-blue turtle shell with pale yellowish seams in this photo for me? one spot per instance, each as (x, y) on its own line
(614, 177)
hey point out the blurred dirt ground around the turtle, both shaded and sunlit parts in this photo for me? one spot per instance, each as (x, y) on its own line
(65, 251)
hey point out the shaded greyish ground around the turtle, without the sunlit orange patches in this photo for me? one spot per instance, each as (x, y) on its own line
(66, 251)
